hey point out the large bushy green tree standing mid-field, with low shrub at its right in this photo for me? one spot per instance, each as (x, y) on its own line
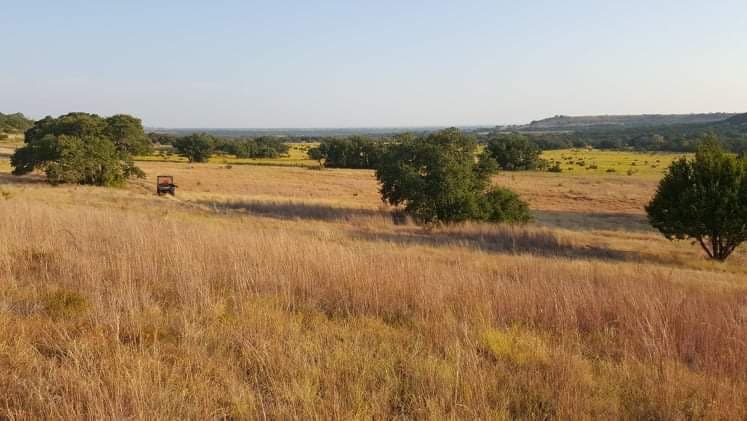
(438, 179)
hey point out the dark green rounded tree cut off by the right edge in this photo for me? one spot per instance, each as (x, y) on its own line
(704, 199)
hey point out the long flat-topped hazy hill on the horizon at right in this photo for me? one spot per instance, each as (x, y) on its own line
(561, 122)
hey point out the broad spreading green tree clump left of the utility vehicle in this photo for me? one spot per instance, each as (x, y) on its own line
(83, 148)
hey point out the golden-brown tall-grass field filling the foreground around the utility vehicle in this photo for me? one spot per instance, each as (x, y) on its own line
(288, 292)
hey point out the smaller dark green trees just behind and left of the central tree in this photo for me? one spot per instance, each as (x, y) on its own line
(352, 152)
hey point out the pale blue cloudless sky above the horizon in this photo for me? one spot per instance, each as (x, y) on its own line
(303, 64)
